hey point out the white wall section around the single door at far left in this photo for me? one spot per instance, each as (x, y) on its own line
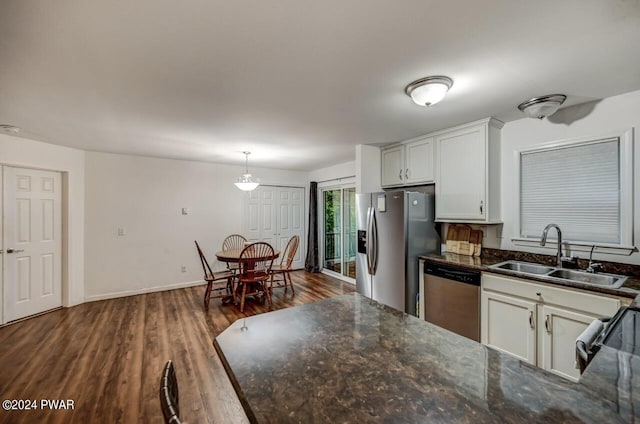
(17, 151)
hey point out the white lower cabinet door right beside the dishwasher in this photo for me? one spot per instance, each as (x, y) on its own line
(509, 325)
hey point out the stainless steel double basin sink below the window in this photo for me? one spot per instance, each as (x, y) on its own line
(594, 279)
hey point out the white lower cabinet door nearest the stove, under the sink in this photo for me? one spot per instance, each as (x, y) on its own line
(559, 330)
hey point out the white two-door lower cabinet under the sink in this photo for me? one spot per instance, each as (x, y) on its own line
(538, 323)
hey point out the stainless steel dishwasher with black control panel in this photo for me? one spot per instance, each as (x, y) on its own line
(452, 298)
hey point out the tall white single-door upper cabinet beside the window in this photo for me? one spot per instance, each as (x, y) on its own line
(468, 173)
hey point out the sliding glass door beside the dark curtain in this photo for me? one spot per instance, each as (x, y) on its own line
(339, 235)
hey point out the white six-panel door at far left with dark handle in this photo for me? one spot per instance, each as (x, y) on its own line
(32, 242)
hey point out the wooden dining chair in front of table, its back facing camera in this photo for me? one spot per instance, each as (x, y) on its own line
(256, 261)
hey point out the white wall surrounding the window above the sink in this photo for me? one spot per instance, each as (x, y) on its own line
(617, 113)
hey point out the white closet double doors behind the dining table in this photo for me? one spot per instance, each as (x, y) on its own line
(275, 214)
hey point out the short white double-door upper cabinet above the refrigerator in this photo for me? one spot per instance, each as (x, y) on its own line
(408, 163)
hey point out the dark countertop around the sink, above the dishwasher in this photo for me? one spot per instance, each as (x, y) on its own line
(484, 267)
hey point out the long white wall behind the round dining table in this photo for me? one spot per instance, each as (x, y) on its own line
(144, 196)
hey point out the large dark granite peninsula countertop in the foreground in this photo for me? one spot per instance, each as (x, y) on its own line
(349, 359)
